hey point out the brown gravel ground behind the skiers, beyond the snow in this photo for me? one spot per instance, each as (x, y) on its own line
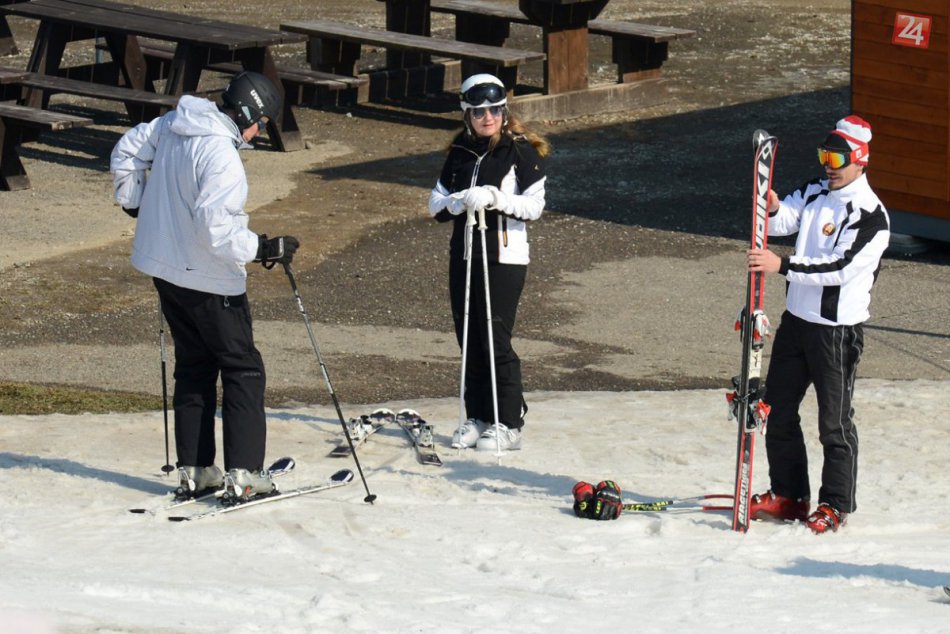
(636, 269)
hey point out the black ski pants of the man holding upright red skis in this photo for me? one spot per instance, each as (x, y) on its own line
(804, 354)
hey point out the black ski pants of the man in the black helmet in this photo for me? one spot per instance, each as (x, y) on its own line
(213, 337)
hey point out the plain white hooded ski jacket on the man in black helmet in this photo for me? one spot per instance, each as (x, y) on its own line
(182, 171)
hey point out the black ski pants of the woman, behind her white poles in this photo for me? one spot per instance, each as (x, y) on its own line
(505, 282)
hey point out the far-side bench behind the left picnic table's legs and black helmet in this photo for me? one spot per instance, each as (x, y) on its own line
(300, 84)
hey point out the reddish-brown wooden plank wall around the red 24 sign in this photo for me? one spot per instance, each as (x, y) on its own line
(904, 93)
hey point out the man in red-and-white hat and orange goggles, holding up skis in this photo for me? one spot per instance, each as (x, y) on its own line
(843, 230)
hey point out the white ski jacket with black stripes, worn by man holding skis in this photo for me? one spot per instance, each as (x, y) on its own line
(842, 235)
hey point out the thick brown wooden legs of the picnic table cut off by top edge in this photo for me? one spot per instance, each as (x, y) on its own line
(564, 31)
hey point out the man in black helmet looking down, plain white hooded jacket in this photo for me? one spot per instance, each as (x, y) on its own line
(180, 175)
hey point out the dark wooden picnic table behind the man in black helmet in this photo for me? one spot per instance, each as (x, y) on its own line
(199, 43)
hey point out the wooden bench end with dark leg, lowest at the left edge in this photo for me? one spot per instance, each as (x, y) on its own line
(13, 120)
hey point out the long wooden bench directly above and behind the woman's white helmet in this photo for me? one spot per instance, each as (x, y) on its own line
(335, 47)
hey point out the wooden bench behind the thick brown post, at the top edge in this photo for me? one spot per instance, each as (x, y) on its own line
(638, 50)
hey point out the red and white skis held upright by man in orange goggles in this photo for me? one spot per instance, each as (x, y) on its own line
(746, 402)
